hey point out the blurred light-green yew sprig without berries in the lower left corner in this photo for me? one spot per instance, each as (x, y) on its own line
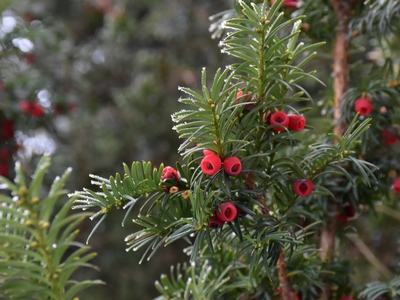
(38, 250)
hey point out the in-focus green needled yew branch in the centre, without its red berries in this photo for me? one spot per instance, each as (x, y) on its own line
(239, 258)
